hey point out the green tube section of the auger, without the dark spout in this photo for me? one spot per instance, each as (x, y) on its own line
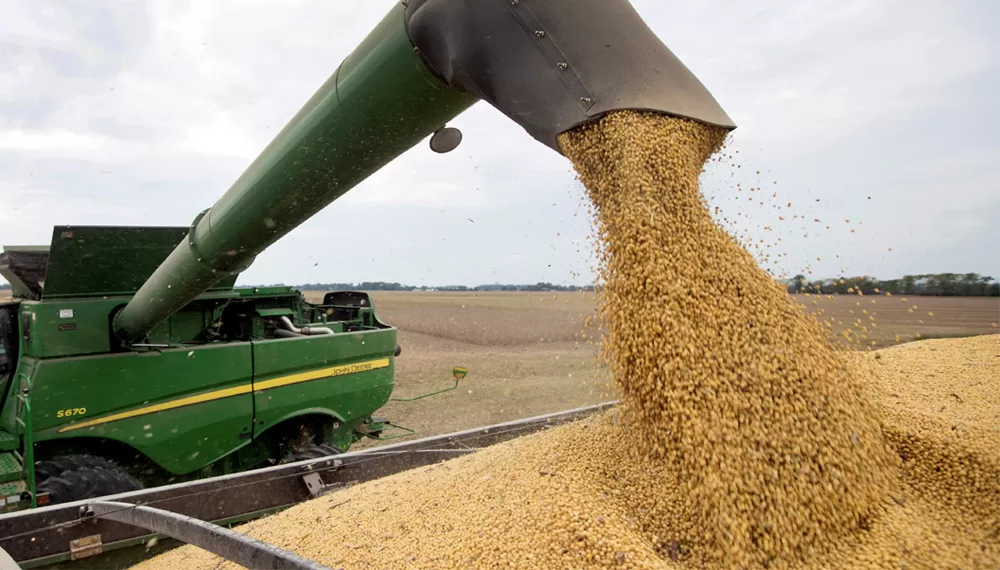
(381, 102)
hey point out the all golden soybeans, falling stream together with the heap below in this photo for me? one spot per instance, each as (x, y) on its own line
(744, 440)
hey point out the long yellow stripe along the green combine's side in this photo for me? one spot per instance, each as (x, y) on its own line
(236, 391)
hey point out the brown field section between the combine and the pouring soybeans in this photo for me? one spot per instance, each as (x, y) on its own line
(522, 351)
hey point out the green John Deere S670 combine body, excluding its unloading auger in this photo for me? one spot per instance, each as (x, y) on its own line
(237, 378)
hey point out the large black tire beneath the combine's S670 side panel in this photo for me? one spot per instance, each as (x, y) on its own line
(76, 477)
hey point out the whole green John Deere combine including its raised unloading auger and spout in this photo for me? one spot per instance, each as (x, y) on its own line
(130, 357)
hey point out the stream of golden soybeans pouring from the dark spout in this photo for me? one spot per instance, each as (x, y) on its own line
(723, 376)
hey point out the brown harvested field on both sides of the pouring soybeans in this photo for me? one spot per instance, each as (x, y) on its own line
(525, 358)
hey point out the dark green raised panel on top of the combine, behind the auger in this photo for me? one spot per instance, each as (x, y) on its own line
(106, 260)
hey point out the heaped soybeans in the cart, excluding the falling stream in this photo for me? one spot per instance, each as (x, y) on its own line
(575, 496)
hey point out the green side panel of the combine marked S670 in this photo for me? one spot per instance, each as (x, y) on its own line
(211, 423)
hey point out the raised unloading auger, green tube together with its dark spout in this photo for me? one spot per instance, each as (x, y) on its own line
(549, 65)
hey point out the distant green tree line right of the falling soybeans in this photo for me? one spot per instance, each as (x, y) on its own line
(934, 284)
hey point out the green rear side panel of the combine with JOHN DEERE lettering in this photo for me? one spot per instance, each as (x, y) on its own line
(350, 395)
